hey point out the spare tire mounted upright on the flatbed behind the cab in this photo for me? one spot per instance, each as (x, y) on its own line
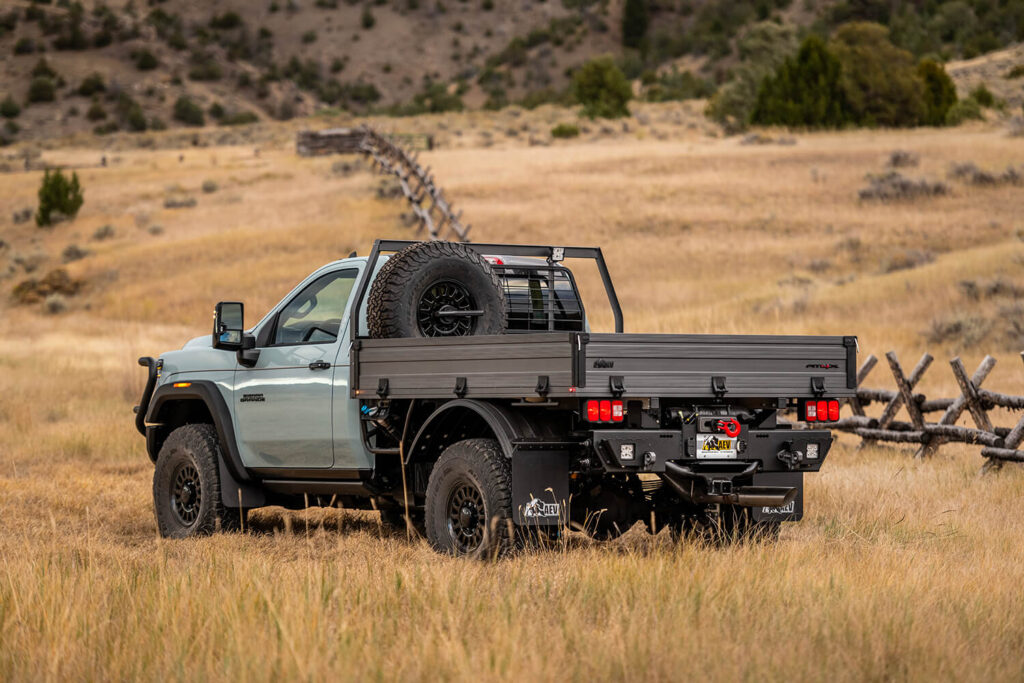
(437, 289)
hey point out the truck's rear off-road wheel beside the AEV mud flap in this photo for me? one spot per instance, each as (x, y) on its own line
(476, 464)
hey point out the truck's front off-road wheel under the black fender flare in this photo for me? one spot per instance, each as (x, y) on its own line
(190, 455)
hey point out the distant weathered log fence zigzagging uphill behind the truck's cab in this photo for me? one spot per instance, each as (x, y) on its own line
(433, 210)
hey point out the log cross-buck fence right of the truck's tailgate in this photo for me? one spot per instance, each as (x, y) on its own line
(1001, 445)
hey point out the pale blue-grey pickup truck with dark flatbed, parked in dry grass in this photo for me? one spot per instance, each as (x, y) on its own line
(478, 438)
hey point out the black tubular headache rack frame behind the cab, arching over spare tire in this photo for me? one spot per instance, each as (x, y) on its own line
(382, 246)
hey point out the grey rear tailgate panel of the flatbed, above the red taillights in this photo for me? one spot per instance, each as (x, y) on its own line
(754, 366)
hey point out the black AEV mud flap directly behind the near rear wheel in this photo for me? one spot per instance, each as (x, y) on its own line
(540, 488)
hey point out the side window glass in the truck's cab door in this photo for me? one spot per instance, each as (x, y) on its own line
(316, 315)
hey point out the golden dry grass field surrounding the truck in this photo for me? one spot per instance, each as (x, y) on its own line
(901, 571)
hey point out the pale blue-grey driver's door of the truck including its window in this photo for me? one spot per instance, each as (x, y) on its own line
(283, 406)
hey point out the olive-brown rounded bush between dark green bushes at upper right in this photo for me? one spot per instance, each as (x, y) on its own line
(880, 80)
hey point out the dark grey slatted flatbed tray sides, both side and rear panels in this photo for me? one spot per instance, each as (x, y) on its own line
(558, 365)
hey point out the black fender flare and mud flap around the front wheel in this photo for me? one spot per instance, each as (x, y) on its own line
(237, 483)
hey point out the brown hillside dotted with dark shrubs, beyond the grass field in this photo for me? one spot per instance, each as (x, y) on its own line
(104, 67)
